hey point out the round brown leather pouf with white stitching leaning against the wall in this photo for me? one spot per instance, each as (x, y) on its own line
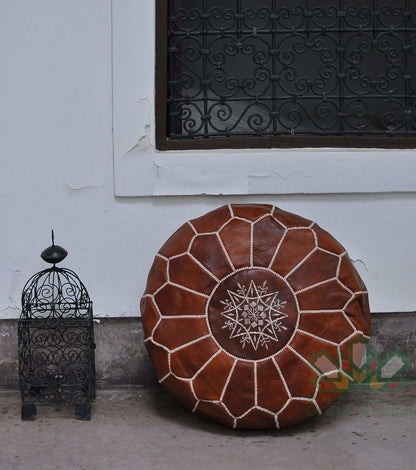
(240, 306)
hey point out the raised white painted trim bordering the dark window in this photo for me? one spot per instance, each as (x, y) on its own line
(140, 170)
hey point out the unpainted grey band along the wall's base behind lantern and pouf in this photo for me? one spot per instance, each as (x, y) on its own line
(121, 357)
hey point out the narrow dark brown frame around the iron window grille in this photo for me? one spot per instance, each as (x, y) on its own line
(164, 143)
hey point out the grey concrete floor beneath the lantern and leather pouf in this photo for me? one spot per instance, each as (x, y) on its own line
(137, 429)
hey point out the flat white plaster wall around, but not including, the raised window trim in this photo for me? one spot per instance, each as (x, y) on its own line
(56, 169)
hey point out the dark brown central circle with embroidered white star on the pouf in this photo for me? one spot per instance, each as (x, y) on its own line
(252, 313)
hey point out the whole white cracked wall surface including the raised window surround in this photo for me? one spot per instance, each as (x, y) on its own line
(59, 168)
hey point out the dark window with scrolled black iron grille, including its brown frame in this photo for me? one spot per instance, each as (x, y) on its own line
(283, 73)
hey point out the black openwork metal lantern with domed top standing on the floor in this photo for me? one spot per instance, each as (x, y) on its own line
(56, 340)
